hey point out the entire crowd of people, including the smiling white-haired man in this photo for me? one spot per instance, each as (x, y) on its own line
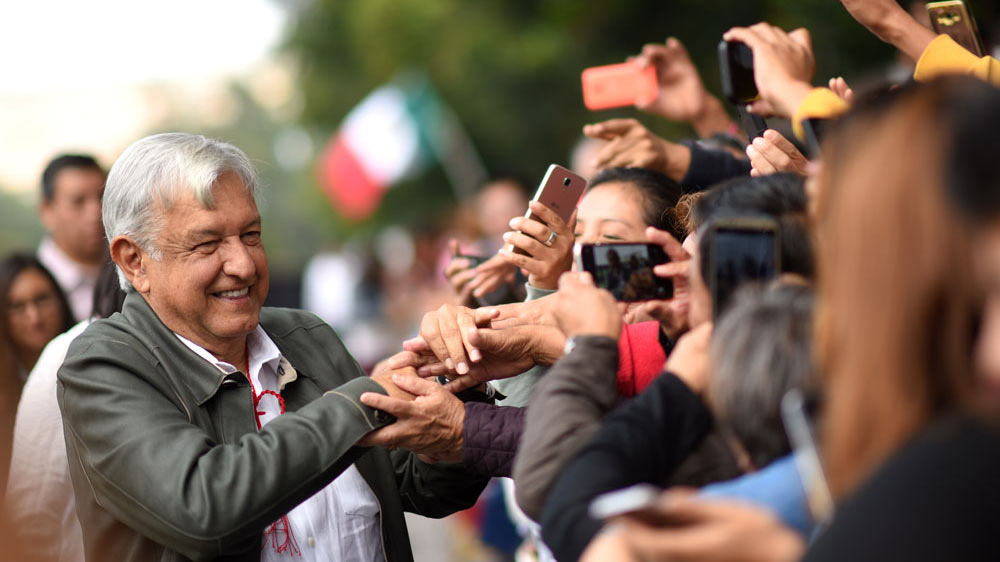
(844, 405)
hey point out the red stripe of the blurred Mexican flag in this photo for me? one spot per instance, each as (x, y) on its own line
(352, 192)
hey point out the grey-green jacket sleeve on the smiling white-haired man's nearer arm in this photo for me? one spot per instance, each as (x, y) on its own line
(136, 451)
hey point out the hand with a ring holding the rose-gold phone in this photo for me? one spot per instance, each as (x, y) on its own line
(544, 262)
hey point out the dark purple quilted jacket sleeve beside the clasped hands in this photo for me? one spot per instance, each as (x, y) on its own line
(490, 438)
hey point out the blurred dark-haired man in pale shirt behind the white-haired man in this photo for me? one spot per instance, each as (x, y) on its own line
(74, 247)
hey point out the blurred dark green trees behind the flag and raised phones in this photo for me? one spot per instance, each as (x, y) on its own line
(511, 68)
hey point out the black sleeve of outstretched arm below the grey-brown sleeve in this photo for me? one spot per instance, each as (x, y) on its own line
(642, 441)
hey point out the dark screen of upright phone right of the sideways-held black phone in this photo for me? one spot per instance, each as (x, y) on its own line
(741, 255)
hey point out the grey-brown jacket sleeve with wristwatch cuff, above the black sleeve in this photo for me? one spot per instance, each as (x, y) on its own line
(567, 409)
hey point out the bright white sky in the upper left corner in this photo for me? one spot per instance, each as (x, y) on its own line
(77, 74)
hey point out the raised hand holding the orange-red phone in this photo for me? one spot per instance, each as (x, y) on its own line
(683, 96)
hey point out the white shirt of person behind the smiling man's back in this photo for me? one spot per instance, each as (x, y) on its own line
(40, 501)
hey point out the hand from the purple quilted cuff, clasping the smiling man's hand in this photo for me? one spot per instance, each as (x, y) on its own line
(430, 422)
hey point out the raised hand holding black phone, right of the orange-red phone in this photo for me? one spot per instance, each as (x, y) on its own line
(783, 66)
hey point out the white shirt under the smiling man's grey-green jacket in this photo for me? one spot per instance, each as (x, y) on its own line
(341, 521)
